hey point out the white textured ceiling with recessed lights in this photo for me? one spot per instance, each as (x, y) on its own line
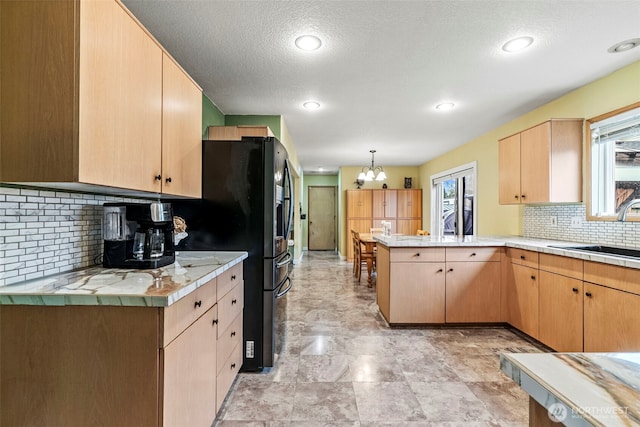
(384, 65)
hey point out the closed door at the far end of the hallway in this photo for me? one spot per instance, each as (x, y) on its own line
(322, 218)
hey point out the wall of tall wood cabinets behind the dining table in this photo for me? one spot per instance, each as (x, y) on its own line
(367, 208)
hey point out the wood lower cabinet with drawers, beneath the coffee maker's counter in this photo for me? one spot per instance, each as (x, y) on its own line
(142, 366)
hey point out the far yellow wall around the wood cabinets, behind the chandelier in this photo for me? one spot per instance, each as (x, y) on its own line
(347, 177)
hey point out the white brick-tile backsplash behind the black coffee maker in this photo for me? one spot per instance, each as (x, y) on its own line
(45, 232)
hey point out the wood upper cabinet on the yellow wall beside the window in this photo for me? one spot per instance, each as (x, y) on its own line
(542, 164)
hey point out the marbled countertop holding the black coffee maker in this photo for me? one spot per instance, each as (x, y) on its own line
(159, 287)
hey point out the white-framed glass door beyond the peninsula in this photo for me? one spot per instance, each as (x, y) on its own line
(453, 201)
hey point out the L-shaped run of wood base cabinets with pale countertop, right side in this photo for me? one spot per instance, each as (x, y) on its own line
(570, 300)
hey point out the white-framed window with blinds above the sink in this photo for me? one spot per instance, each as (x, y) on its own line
(614, 142)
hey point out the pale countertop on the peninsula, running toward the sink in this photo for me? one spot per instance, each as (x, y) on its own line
(543, 246)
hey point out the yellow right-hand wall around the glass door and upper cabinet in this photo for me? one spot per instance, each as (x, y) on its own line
(616, 90)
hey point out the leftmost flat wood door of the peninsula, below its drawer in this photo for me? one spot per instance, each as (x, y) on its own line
(417, 293)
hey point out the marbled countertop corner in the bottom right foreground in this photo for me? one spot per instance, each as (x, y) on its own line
(601, 389)
